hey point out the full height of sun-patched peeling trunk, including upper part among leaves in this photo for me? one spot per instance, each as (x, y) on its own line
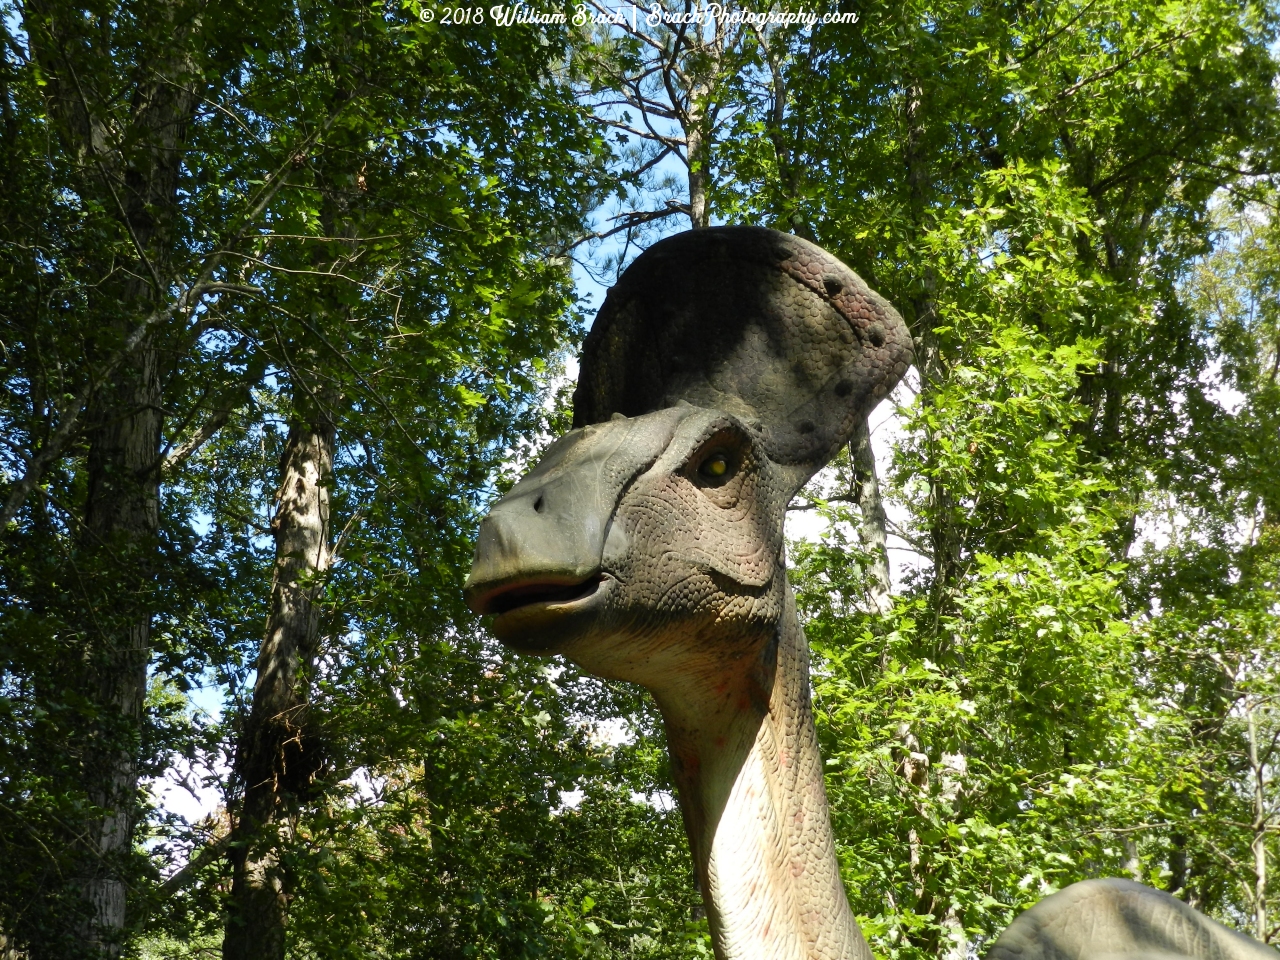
(280, 753)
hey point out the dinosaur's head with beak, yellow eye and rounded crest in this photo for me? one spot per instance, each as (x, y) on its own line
(724, 371)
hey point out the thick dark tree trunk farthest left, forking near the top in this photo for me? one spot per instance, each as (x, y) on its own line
(130, 162)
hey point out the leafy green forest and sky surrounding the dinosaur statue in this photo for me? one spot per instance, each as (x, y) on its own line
(286, 300)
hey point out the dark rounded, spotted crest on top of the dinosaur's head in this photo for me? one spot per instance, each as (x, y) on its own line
(761, 324)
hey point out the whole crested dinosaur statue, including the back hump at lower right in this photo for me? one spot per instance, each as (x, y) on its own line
(724, 371)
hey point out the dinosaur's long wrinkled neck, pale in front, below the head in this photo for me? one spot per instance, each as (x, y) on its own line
(746, 757)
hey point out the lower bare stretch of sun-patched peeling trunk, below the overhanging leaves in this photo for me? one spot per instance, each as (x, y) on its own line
(277, 755)
